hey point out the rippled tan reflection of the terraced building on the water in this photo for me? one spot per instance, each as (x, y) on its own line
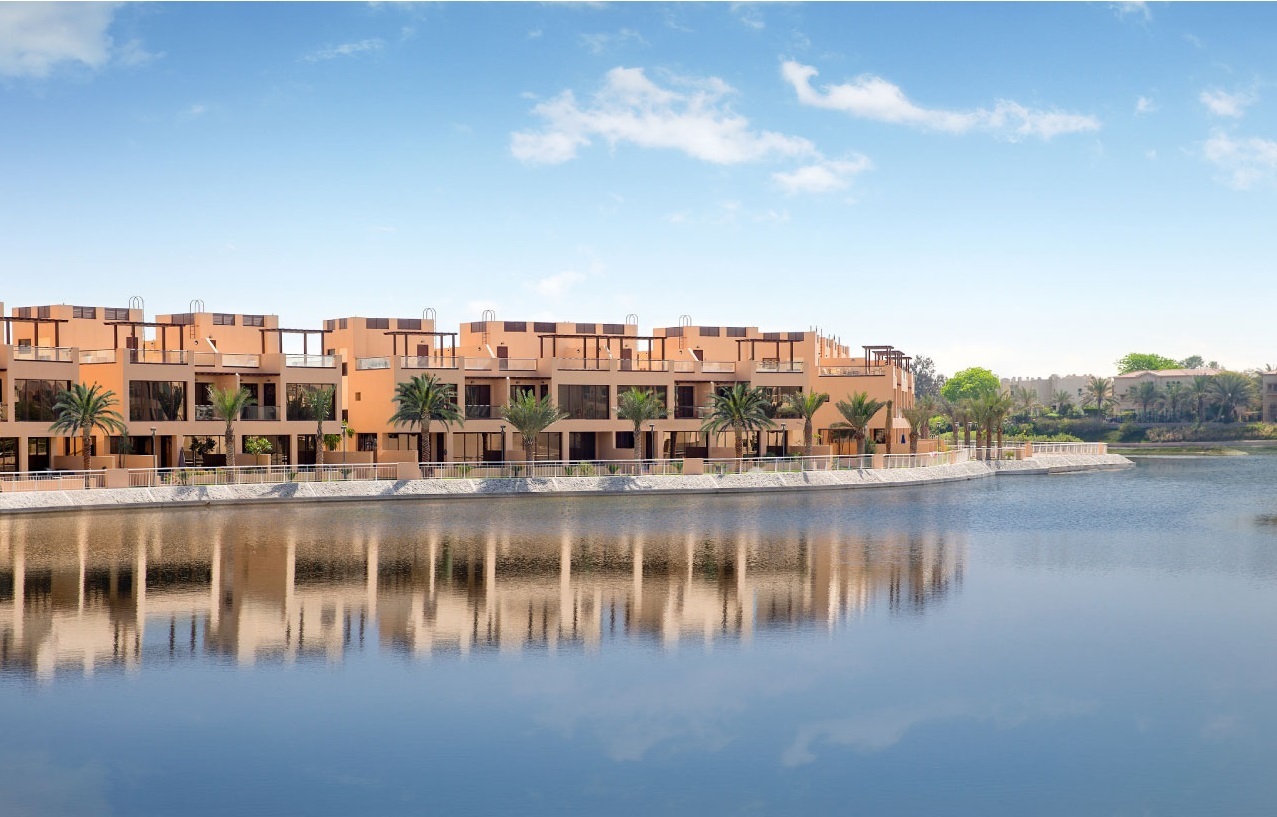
(90, 593)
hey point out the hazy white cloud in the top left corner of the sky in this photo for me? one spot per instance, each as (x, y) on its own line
(39, 38)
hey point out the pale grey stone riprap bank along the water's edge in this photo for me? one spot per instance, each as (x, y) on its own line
(177, 496)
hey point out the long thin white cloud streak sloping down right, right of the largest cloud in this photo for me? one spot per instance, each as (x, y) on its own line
(875, 99)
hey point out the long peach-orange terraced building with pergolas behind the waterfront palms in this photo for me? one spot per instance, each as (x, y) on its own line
(163, 368)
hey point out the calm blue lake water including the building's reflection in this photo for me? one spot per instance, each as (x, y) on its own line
(1098, 644)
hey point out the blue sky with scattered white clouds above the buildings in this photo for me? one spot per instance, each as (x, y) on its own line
(1034, 188)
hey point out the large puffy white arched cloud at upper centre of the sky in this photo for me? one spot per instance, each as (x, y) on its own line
(690, 116)
